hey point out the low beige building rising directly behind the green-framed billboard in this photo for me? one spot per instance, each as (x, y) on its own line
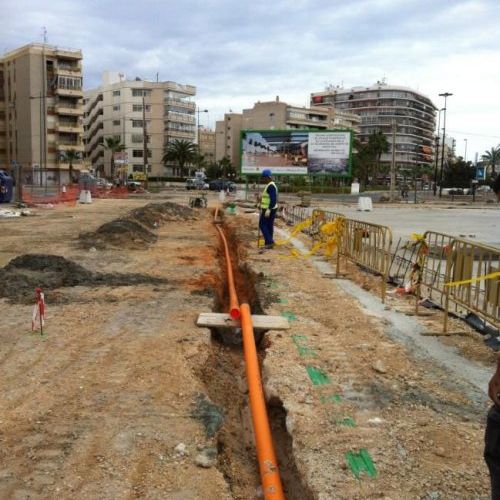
(280, 116)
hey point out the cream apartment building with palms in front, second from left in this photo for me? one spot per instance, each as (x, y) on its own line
(117, 109)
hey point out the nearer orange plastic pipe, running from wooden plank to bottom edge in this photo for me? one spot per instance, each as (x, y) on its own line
(268, 466)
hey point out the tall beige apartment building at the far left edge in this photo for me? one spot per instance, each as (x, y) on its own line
(41, 111)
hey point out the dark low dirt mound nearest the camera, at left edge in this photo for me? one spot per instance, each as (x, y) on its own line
(24, 273)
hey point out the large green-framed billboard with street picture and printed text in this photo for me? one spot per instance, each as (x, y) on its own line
(301, 152)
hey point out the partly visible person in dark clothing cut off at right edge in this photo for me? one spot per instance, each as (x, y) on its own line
(492, 436)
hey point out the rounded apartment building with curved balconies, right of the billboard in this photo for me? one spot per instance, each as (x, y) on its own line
(382, 107)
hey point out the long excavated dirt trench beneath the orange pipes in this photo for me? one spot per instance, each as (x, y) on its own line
(224, 377)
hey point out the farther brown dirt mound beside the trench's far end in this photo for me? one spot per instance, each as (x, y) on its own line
(133, 230)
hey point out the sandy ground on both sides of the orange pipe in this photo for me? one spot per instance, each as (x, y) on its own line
(95, 408)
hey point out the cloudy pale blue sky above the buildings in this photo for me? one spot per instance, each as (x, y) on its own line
(239, 52)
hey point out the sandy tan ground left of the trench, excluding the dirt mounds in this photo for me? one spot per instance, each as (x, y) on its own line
(95, 408)
